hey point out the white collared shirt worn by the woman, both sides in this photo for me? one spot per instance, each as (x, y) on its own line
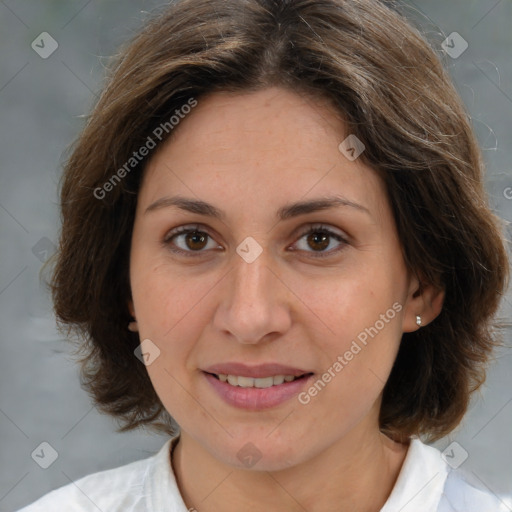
(425, 484)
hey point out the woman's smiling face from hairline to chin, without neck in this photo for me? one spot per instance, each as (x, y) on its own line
(252, 294)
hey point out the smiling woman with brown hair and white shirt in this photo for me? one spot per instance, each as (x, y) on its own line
(275, 235)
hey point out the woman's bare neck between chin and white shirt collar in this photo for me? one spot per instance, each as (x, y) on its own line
(358, 472)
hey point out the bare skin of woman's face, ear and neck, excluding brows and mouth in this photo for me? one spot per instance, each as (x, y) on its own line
(248, 155)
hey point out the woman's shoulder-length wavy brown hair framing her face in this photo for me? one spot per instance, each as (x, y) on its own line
(394, 95)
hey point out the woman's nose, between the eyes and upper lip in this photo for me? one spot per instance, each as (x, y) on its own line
(254, 306)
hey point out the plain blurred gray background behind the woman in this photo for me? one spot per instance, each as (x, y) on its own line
(41, 104)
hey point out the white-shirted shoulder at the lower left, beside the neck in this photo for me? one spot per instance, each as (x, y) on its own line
(119, 489)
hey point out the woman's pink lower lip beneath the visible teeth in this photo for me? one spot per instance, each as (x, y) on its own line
(257, 398)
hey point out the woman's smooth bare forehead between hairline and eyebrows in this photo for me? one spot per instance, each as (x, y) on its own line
(259, 149)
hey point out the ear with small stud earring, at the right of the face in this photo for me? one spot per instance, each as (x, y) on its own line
(424, 300)
